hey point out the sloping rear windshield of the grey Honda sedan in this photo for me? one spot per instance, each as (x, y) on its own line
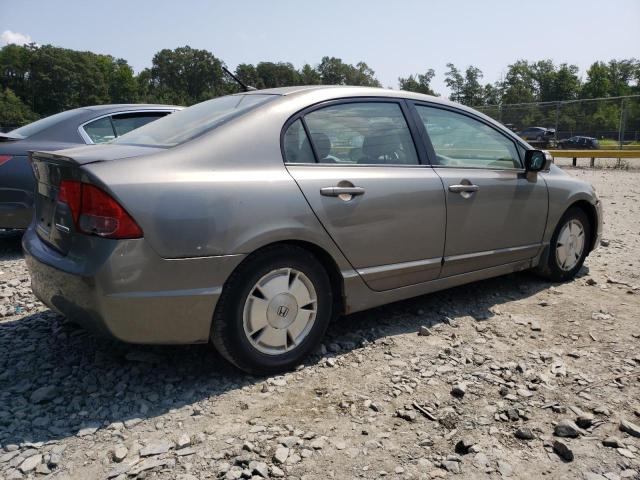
(191, 122)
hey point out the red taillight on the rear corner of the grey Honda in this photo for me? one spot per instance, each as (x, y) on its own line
(95, 212)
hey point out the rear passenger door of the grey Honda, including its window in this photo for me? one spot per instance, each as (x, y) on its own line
(361, 174)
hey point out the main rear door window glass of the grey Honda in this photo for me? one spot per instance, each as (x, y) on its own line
(362, 133)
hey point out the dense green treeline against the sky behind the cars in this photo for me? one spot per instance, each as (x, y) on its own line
(36, 81)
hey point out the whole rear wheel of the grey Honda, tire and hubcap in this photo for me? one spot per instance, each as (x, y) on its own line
(273, 311)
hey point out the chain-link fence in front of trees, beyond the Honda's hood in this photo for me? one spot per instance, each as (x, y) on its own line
(614, 121)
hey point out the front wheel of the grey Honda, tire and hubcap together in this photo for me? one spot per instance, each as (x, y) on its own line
(569, 246)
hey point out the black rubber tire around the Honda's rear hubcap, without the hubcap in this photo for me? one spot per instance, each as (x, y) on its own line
(227, 331)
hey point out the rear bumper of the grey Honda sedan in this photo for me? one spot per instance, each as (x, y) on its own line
(124, 290)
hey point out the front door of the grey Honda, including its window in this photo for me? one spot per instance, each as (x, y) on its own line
(496, 214)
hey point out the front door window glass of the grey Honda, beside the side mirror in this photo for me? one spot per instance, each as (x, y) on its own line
(461, 141)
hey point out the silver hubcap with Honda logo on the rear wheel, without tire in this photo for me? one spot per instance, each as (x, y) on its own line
(280, 311)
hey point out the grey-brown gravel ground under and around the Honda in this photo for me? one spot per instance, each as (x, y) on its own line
(509, 378)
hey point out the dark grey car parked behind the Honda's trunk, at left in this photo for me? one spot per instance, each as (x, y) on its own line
(87, 125)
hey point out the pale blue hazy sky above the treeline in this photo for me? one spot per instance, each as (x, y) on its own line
(395, 38)
